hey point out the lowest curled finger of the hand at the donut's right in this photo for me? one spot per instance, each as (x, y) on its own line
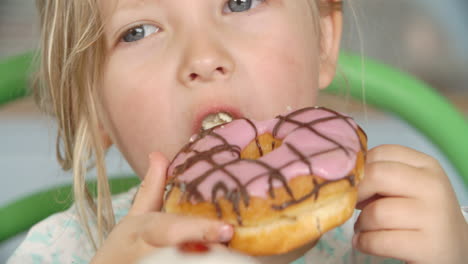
(397, 244)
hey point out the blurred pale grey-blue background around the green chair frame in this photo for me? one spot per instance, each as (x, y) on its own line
(428, 38)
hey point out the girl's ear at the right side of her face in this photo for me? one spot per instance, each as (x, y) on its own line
(331, 22)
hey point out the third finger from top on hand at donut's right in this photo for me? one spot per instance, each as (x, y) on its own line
(391, 213)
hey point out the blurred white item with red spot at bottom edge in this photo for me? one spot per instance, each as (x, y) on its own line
(195, 253)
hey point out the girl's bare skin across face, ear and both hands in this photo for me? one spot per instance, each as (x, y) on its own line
(269, 57)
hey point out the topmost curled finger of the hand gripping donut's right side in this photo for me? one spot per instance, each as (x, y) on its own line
(401, 154)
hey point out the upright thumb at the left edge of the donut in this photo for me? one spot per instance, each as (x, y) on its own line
(150, 194)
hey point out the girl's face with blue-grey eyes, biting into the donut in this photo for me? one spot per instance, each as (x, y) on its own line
(171, 63)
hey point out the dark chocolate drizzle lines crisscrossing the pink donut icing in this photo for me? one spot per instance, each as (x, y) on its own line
(190, 190)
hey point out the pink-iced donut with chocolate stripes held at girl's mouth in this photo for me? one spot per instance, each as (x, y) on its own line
(281, 183)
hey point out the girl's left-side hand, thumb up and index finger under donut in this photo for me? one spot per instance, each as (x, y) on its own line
(145, 228)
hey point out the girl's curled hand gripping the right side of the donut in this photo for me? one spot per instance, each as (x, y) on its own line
(409, 209)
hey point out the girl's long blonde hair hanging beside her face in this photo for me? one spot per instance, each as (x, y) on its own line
(71, 60)
